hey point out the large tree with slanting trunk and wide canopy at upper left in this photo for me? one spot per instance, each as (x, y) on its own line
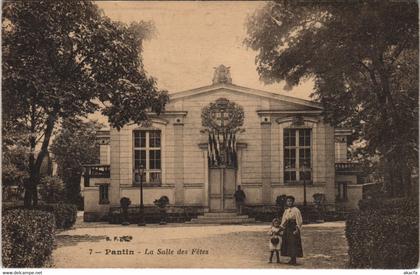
(64, 59)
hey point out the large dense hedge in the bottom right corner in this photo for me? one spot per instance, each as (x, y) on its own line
(384, 235)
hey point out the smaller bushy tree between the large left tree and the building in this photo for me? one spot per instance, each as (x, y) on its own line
(75, 145)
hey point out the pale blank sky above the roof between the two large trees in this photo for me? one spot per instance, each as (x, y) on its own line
(192, 38)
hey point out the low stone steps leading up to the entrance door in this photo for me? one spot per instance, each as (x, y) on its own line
(222, 218)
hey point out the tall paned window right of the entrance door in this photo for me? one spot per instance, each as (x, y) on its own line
(297, 155)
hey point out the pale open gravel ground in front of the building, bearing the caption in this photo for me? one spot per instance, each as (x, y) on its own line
(180, 245)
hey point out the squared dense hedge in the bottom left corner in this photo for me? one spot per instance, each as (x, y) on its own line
(27, 238)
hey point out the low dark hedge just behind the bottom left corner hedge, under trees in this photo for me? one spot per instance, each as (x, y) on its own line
(65, 214)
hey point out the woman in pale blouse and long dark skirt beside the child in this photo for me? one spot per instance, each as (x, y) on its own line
(291, 221)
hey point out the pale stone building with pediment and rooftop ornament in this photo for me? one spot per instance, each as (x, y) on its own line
(280, 144)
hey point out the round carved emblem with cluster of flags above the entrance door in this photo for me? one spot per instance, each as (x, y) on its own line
(222, 120)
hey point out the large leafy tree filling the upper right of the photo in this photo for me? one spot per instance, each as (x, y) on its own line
(363, 58)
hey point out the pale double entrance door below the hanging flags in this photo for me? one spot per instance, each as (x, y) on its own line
(222, 185)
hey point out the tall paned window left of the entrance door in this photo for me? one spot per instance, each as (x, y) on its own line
(147, 152)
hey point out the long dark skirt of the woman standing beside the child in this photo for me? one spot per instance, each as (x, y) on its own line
(291, 244)
